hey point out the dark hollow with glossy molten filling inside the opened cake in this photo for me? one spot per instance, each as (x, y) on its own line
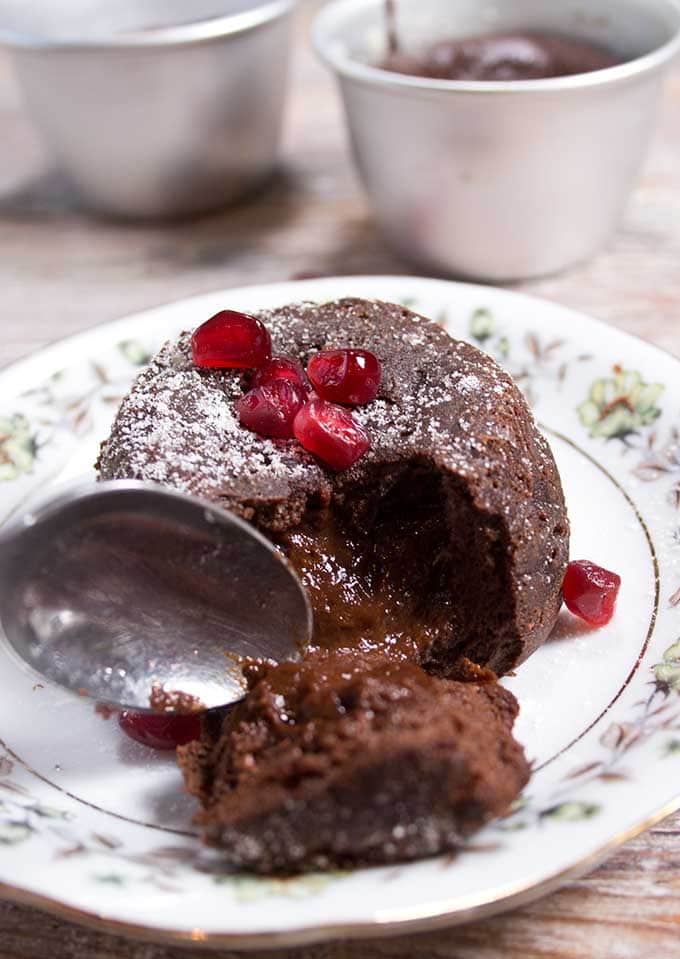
(408, 567)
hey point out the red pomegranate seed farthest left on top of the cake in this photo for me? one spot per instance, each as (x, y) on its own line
(231, 340)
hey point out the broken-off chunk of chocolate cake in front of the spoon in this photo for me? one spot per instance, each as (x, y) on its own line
(345, 758)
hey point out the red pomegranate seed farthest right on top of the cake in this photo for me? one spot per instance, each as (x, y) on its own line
(345, 376)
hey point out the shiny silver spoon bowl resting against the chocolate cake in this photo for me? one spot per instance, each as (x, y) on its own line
(116, 588)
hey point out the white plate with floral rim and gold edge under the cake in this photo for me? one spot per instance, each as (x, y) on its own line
(96, 827)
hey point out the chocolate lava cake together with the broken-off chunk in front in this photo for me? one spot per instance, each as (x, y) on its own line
(437, 556)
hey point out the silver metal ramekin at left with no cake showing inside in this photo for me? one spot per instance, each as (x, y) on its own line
(156, 120)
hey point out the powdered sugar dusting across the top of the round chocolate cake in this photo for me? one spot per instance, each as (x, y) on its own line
(439, 398)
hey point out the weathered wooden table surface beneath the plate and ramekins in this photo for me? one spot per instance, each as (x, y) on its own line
(61, 272)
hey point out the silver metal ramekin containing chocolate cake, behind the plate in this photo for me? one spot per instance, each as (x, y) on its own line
(499, 181)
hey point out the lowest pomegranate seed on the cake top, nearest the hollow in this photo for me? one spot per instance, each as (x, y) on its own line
(331, 433)
